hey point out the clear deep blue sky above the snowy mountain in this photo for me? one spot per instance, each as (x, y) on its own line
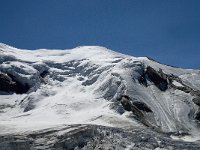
(166, 30)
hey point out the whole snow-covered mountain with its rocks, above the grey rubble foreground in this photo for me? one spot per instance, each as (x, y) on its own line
(94, 86)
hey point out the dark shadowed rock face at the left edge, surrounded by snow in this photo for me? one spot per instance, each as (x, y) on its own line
(9, 84)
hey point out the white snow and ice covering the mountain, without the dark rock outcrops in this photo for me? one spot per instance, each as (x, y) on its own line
(81, 87)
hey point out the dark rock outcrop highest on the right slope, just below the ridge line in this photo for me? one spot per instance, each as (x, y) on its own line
(157, 78)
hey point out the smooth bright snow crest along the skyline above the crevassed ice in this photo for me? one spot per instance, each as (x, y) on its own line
(82, 52)
